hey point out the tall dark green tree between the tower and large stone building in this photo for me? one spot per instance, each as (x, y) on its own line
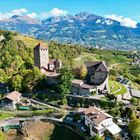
(64, 81)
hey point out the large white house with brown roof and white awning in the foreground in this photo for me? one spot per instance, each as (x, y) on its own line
(98, 121)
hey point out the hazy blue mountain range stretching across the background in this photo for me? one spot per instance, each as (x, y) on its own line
(83, 28)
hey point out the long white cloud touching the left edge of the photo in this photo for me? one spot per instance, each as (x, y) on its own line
(13, 12)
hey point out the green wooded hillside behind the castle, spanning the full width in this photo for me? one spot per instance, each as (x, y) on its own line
(17, 62)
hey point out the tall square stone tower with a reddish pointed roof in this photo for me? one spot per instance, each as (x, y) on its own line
(41, 56)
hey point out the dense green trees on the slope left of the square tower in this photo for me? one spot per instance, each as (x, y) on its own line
(16, 65)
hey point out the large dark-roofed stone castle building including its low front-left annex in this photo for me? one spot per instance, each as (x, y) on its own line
(96, 79)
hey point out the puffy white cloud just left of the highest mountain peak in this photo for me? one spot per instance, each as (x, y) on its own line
(54, 13)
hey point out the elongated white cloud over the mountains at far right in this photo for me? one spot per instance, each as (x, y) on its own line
(127, 22)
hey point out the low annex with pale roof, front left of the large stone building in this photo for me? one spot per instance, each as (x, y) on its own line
(78, 87)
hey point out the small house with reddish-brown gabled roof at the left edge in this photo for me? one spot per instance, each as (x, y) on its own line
(11, 99)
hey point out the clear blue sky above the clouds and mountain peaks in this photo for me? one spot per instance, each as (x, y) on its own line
(126, 8)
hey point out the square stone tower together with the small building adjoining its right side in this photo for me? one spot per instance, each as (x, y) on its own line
(42, 61)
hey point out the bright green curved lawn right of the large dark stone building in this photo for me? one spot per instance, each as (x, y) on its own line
(117, 88)
